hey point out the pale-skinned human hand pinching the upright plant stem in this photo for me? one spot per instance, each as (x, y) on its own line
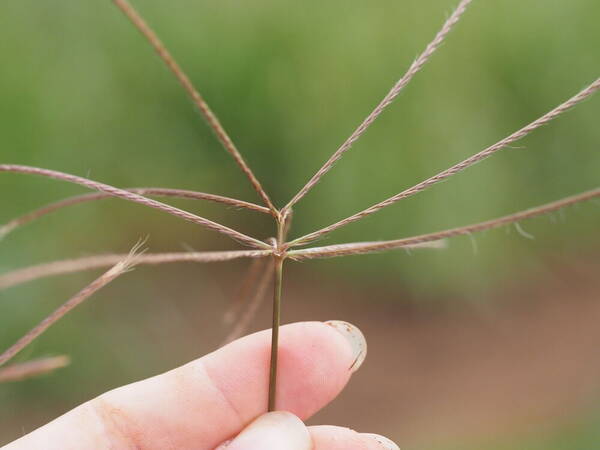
(214, 402)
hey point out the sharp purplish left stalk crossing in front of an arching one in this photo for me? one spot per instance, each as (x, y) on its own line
(121, 193)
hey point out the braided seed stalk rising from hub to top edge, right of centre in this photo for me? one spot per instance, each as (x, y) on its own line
(415, 67)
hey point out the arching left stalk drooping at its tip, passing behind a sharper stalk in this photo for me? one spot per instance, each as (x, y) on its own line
(158, 192)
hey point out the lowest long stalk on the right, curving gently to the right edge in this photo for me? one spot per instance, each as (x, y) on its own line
(356, 248)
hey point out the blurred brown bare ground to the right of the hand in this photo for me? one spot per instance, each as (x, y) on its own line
(474, 372)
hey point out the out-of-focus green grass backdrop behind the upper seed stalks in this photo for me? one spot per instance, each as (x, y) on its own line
(82, 92)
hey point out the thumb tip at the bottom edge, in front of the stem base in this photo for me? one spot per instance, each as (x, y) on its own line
(277, 430)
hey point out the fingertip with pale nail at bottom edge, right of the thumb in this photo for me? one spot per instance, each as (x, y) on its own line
(340, 438)
